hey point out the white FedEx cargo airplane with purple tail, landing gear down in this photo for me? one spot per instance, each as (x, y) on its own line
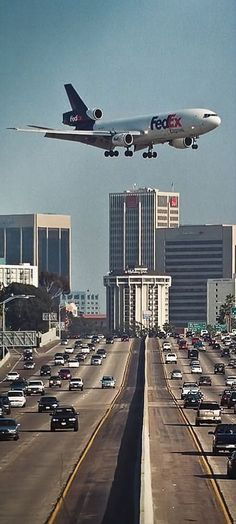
(179, 129)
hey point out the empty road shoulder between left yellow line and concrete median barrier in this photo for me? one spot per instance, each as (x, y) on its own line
(106, 487)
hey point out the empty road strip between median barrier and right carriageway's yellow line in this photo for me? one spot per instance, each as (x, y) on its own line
(180, 488)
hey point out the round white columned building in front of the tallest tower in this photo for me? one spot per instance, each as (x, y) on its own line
(136, 298)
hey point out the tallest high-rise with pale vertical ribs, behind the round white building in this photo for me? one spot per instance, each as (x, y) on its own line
(134, 217)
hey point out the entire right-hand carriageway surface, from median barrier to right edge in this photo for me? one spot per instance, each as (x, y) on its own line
(188, 482)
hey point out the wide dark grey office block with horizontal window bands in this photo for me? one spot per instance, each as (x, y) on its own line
(192, 255)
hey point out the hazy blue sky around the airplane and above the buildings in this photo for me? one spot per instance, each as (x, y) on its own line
(131, 57)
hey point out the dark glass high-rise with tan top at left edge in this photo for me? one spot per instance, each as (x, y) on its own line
(42, 240)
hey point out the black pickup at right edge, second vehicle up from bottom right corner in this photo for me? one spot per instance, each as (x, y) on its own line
(224, 438)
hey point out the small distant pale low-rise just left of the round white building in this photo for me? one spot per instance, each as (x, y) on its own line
(87, 302)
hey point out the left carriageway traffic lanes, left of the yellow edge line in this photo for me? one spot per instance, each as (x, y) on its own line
(34, 470)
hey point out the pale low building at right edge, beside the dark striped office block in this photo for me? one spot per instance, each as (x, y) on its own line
(217, 291)
